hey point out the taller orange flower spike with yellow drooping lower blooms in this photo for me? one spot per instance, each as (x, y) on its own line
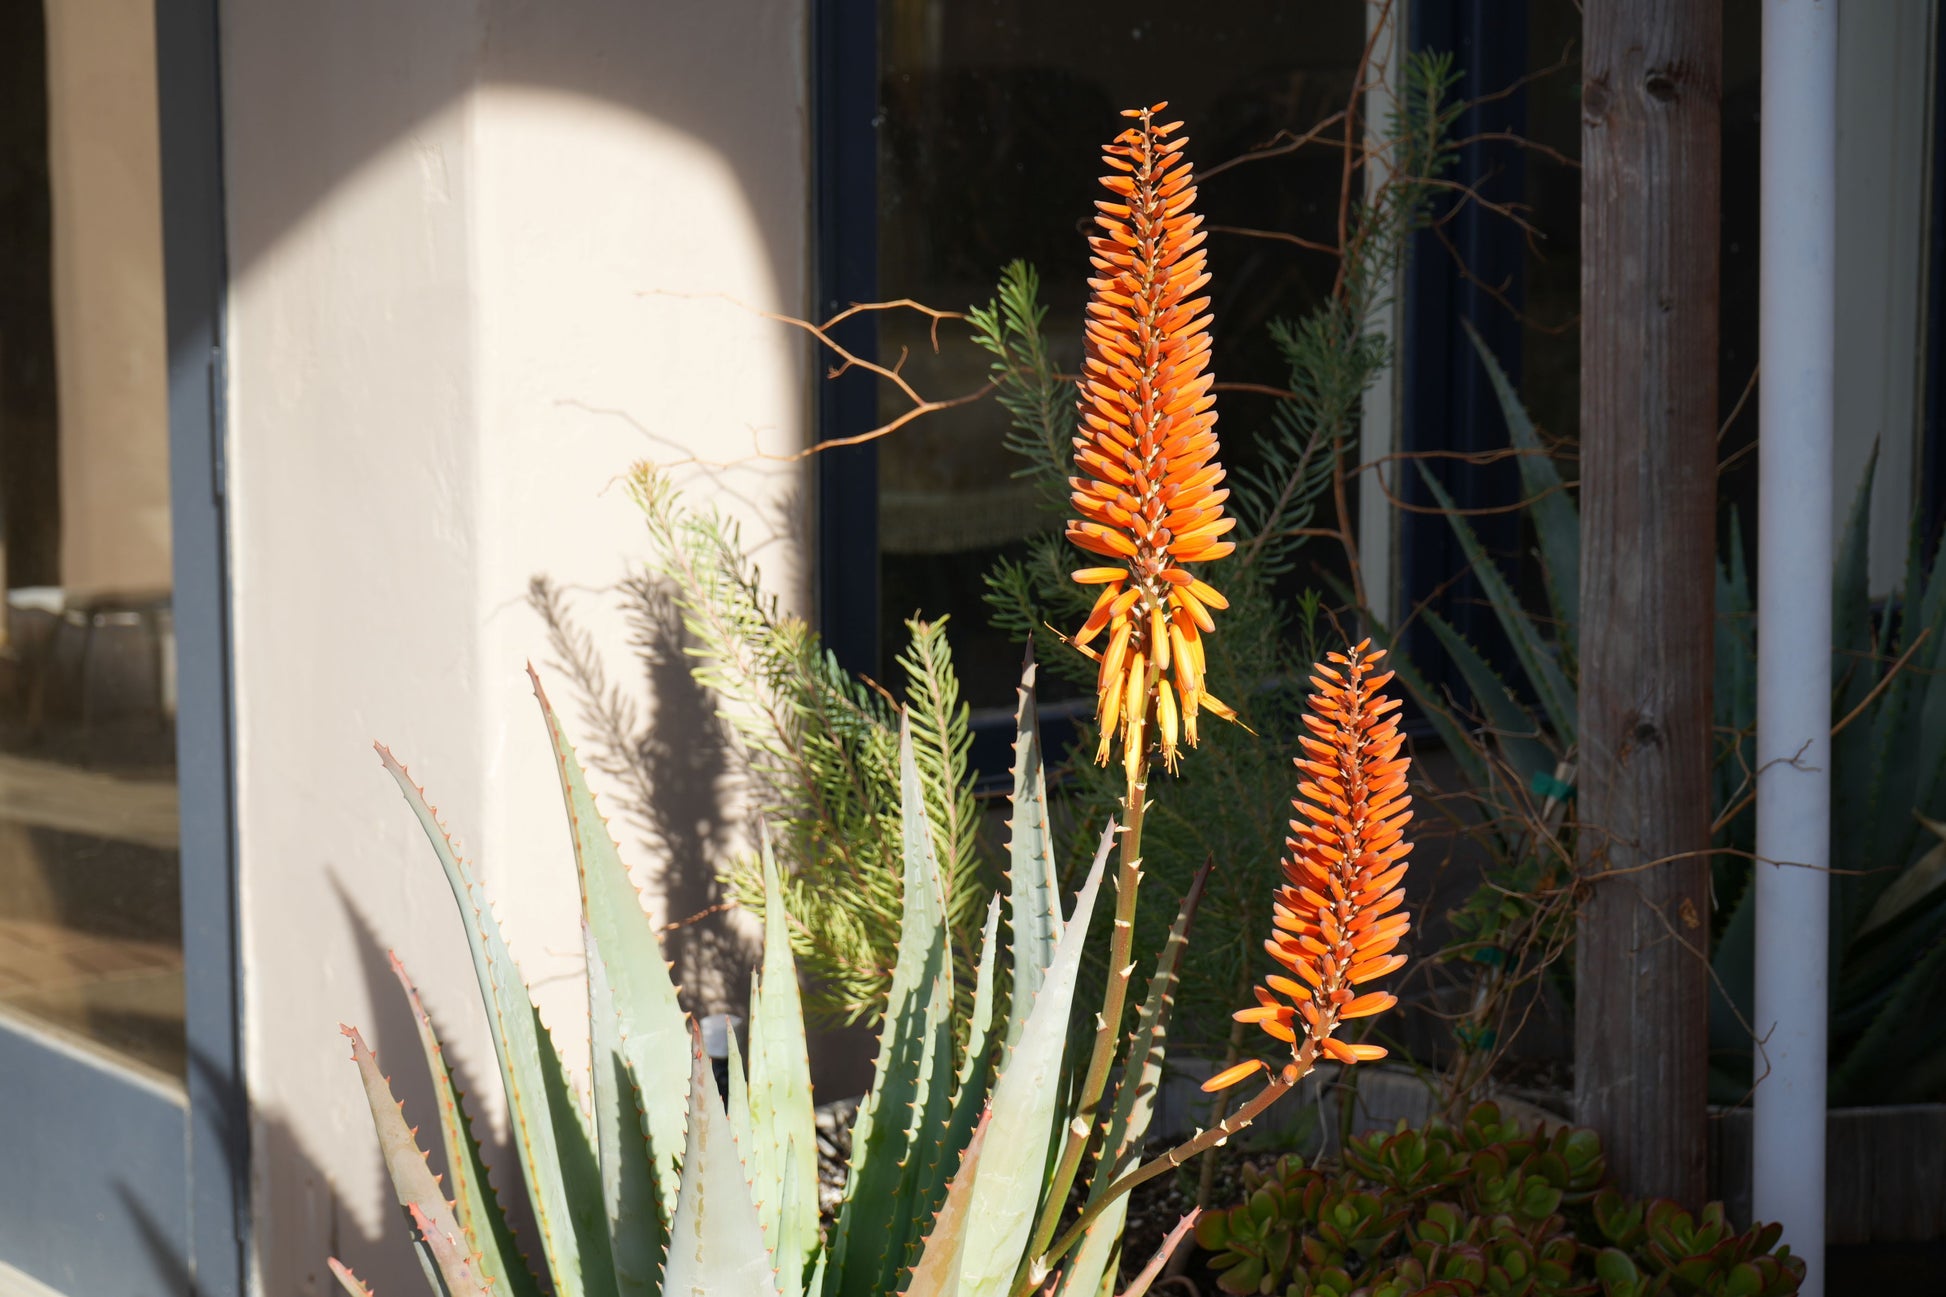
(1147, 488)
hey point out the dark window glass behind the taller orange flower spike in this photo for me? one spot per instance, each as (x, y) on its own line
(991, 130)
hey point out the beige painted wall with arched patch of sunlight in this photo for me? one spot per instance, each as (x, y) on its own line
(458, 231)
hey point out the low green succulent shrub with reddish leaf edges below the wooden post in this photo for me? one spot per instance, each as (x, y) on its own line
(1480, 1208)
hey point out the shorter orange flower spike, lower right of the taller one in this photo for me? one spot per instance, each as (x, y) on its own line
(1336, 924)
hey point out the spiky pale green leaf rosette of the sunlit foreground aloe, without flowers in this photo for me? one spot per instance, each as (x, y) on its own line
(651, 1183)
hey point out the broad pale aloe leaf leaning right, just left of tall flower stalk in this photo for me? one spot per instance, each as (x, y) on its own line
(1015, 1166)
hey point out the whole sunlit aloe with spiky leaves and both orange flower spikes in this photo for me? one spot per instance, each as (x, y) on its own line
(974, 1136)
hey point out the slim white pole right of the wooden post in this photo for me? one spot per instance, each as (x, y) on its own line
(1795, 352)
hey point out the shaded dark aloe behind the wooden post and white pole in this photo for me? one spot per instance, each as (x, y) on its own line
(1889, 776)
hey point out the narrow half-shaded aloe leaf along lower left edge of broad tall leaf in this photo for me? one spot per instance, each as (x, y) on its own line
(635, 1218)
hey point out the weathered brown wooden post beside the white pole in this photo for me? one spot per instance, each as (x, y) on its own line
(1651, 145)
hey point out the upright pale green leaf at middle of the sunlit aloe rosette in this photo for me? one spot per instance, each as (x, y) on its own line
(781, 1113)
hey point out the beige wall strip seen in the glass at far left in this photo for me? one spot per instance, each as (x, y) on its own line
(110, 340)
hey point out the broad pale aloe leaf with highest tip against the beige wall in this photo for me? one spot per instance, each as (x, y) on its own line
(655, 1033)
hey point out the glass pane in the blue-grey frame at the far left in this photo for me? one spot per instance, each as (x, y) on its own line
(90, 887)
